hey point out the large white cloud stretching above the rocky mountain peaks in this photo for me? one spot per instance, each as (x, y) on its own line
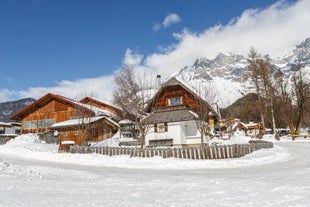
(274, 31)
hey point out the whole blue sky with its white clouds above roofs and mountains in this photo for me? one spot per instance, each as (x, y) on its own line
(75, 46)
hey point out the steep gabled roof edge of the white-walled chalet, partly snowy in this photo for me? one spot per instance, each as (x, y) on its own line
(174, 81)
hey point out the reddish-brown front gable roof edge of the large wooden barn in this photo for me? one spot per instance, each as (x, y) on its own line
(45, 100)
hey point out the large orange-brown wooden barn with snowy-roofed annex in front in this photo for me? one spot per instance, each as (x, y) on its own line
(47, 112)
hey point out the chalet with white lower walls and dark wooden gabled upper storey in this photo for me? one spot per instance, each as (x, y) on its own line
(173, 115)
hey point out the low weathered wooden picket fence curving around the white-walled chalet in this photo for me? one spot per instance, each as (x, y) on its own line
(209, 152)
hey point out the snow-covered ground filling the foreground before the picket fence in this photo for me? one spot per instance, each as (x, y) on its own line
(34, 174)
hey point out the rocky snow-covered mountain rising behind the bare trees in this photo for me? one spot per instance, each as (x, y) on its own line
(225, 73)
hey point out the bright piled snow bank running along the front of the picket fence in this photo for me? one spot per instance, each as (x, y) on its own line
(29, 147)
